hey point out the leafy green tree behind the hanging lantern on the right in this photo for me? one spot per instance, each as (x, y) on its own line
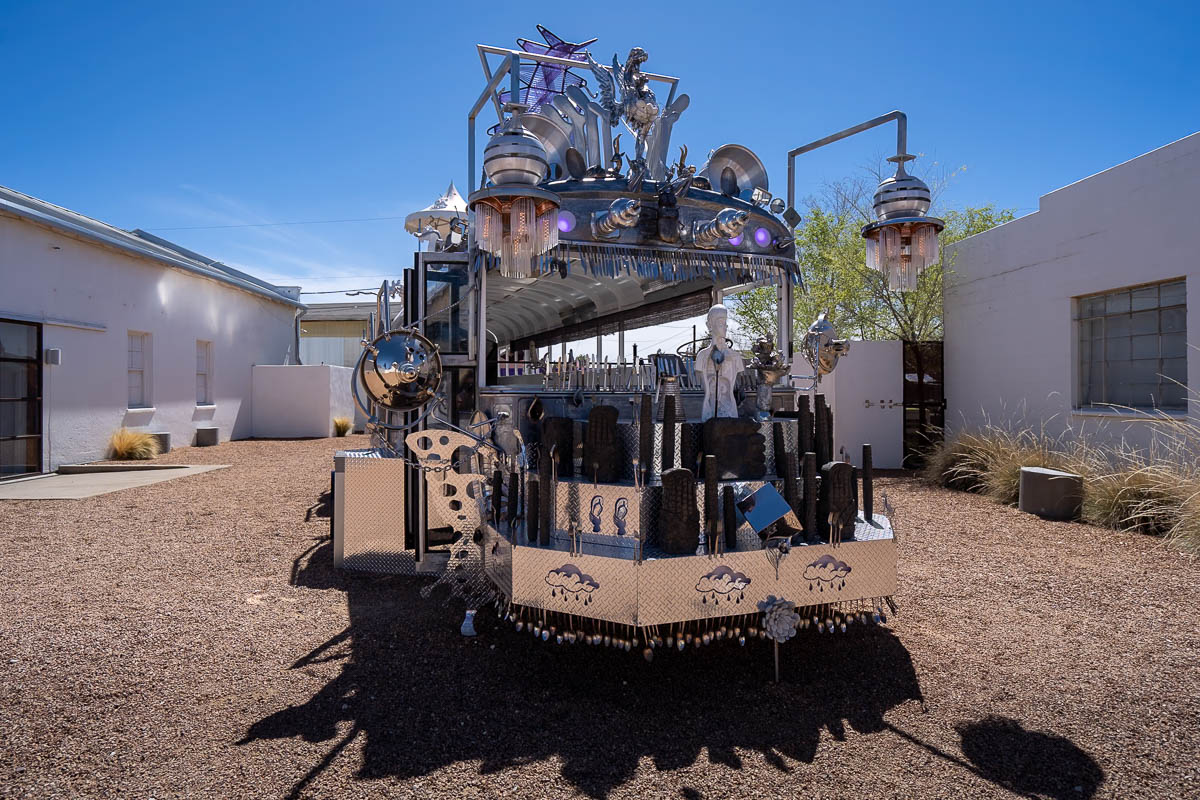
(832, 256)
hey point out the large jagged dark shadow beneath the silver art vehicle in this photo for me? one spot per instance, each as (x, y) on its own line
(424, 697)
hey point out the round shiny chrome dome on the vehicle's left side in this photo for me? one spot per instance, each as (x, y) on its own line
(401, 371)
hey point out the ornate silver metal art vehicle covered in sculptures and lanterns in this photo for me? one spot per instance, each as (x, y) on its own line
(584, 506)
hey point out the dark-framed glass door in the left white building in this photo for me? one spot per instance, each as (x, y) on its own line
(21, 399)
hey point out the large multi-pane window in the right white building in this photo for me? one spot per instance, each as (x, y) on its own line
(1133, 348)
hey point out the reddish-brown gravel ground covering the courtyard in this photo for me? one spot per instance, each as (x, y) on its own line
(191, 639)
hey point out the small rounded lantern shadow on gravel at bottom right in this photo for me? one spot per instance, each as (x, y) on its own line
(1030, 762)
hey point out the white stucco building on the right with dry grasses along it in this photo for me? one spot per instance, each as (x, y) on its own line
(1085, 308)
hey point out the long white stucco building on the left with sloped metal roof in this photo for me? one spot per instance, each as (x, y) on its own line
(101, 328)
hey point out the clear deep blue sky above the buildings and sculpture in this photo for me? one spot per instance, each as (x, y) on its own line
(184, 116)
